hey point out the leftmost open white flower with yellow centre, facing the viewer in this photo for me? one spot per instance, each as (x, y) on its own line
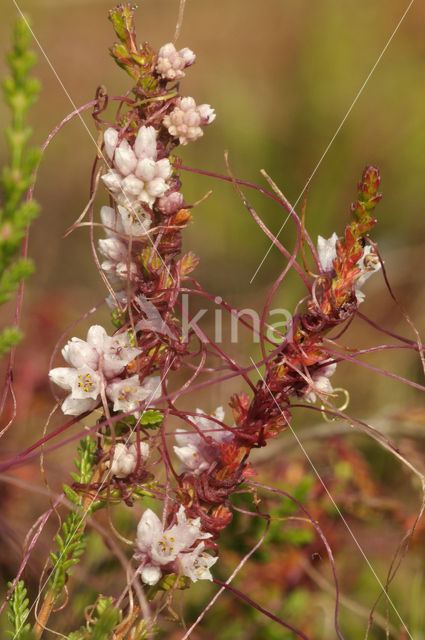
(84, 385)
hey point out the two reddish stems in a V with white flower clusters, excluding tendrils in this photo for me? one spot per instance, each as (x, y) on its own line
(124, 375)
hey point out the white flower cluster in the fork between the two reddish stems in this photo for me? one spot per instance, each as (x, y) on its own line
(197, 451)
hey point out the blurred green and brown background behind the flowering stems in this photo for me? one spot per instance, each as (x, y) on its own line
(281, 76)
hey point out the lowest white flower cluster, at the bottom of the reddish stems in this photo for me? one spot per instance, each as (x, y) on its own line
(157, 548)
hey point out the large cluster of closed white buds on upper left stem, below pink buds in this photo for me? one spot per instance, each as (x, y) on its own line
(136, 175)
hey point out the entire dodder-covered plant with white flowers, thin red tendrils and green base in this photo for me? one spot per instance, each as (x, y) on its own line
(124, 376)
